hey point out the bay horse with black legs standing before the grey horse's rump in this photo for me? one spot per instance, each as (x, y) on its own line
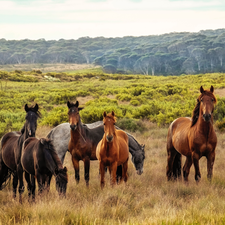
(83, 142)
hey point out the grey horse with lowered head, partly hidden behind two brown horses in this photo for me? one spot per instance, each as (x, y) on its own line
(60, 136)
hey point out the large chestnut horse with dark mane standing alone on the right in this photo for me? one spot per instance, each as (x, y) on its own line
(193, 137)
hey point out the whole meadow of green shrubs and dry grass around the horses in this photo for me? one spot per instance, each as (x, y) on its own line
(144, 106)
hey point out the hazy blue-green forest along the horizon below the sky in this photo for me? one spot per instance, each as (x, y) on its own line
(167, 54)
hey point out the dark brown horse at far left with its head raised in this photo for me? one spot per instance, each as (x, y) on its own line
(10, 150)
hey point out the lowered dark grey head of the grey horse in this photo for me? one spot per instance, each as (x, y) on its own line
(138, 159)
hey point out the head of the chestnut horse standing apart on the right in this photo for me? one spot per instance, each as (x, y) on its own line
(207, 101)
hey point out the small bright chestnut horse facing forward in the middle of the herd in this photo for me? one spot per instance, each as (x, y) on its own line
(112, 150)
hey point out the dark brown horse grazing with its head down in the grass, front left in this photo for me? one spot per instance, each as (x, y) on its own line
(39, 159)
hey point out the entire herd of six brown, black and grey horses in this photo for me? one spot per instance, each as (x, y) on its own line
(38, 159)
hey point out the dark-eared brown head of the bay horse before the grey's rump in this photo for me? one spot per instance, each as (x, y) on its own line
(74, 116)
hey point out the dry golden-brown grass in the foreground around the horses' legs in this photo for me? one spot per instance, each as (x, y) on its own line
(145, 199)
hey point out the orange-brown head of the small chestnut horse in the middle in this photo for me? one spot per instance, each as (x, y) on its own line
(109, 125)
